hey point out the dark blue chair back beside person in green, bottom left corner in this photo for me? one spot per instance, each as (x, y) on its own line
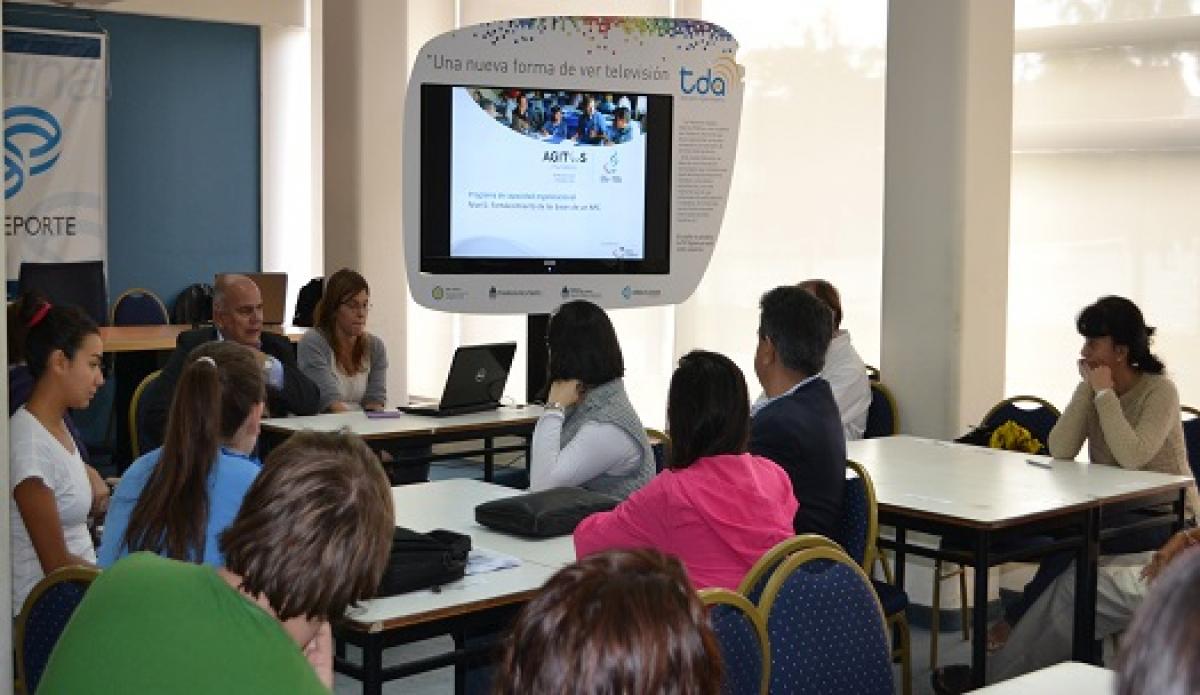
(45, 616)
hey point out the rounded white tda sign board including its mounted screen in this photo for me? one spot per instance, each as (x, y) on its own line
(568, 158)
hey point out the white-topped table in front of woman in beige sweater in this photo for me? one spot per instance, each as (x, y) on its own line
(989, 498)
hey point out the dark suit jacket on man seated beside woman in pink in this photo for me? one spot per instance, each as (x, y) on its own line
(802, 433)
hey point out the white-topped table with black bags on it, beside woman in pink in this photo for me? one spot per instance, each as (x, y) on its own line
(475, 606)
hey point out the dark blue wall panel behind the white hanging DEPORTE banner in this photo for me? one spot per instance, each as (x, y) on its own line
(184, 154)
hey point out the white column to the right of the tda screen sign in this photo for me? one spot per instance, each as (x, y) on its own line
(947, 167)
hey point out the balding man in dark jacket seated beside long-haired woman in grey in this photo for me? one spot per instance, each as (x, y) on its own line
(238, 317)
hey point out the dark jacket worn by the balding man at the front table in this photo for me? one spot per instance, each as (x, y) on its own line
(299, 396)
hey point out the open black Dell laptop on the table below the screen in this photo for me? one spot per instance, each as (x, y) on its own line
(476, 381)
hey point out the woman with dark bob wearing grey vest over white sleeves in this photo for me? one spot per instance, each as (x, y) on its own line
(590, 435)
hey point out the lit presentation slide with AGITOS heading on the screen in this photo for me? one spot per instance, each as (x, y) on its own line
(547, 175)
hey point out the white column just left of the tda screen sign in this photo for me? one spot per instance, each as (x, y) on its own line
(367, 47)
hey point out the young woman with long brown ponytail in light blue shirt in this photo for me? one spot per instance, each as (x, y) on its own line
(177, 500)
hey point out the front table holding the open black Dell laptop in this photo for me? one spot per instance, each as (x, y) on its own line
(415, 432)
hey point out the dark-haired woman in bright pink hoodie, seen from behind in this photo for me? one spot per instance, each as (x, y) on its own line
(716, 507)
